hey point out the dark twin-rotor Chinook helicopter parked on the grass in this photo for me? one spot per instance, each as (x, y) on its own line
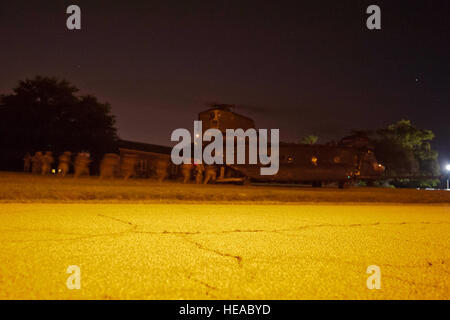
(351, 159)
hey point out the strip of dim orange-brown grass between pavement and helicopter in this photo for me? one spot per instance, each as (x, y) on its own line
(19, 187)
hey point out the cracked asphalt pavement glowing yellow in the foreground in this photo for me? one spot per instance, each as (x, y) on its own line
(211, 251)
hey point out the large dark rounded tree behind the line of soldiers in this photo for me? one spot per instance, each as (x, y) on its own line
(46, 114)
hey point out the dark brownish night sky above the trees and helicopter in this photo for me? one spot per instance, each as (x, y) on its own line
(305, 66)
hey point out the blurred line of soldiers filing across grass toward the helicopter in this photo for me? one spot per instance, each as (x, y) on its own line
(111, 166)
